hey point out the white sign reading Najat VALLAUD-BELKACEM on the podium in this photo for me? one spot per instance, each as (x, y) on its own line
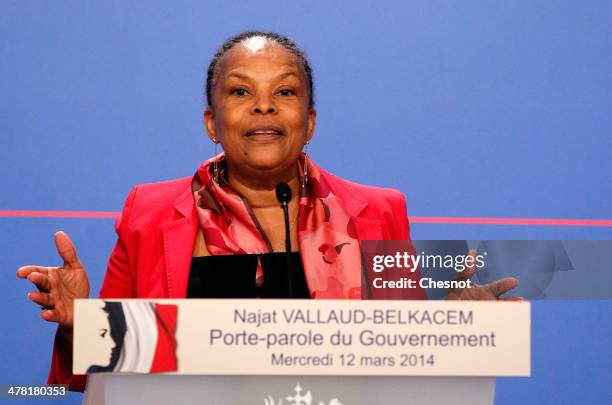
(303, 337)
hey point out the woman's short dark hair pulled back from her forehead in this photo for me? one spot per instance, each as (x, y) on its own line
(279, 39)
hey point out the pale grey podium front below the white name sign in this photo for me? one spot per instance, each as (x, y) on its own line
(112, 389)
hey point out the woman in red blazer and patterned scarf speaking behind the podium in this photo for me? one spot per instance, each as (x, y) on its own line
(220, 232)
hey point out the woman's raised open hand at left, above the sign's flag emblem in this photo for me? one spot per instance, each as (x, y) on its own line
(58, 287)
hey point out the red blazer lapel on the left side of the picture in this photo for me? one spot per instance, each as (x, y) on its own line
(179, 238)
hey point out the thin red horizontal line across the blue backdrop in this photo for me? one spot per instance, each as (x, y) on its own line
(417, 220)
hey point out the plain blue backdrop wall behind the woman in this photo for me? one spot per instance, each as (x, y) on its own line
(477, 109)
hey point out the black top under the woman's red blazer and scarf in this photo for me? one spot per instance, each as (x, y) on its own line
(233, 276)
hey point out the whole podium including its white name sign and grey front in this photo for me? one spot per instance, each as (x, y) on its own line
(298, 352)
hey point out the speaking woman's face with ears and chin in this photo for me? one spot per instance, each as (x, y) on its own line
(260, 112)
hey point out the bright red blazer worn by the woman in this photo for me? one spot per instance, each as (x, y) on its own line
(157, 232)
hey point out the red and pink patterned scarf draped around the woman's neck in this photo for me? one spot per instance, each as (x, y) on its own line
(327, 236)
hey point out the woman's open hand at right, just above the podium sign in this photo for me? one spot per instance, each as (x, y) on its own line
(486, 292)
